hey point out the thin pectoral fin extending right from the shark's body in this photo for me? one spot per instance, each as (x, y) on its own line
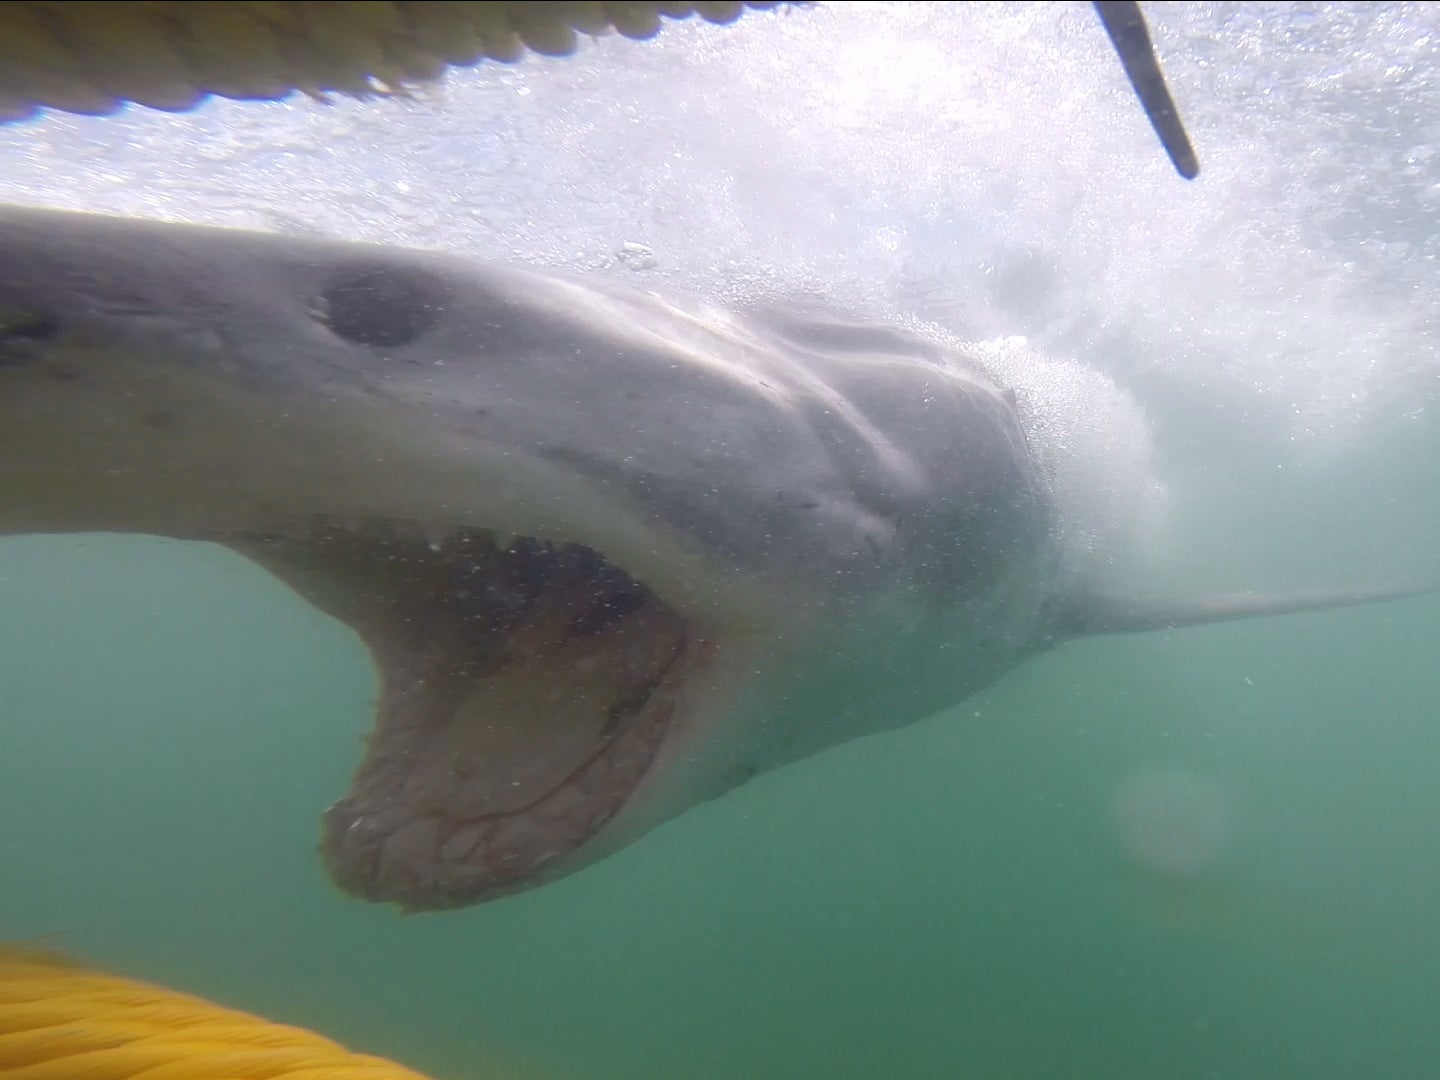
(1098, 614)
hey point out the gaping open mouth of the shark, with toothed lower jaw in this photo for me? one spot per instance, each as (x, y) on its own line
(526, 688)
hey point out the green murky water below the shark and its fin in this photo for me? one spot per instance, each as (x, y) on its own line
(958, 899)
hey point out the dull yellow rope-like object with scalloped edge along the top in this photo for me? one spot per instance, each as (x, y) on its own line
(93, 58)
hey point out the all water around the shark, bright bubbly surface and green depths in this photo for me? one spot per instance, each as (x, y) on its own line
(1189, 856)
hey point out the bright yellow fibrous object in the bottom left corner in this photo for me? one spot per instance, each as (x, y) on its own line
(64, 1022)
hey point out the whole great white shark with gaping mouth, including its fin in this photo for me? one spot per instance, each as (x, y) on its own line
(611, 554)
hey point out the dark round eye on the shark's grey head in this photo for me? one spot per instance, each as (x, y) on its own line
(381, 306)
